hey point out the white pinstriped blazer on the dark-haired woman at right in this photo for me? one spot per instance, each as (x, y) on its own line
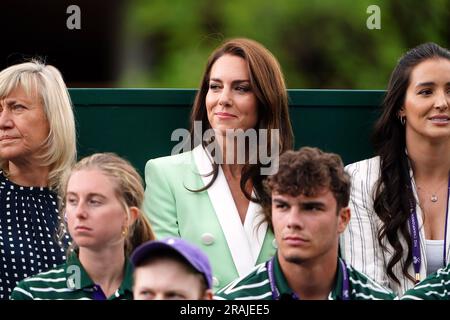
(359, 243)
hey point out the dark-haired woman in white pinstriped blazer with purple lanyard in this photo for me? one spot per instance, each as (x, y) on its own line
(400, 231)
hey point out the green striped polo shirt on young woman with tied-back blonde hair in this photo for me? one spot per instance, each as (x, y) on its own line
(69, 281)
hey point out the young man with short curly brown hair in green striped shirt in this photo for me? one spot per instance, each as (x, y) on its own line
(308, 212)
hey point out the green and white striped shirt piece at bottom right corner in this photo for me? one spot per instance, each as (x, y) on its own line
(434, 287)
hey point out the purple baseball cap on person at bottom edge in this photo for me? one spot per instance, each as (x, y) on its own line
(194, 256)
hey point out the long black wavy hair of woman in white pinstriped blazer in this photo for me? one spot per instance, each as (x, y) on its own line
(392, 203)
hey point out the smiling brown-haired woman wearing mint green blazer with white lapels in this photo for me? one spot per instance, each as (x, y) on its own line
(211, 195)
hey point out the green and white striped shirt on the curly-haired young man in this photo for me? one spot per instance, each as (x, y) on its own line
(256, 286)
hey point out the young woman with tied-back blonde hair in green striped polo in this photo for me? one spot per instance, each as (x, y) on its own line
(101, 196)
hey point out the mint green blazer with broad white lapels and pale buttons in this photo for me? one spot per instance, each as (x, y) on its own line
(208, 219)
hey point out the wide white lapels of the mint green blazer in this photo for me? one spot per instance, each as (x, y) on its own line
(244, 242)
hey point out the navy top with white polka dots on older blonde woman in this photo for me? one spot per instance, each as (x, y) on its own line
(28, 226)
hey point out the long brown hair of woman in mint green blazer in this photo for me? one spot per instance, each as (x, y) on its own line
(267, 82)
